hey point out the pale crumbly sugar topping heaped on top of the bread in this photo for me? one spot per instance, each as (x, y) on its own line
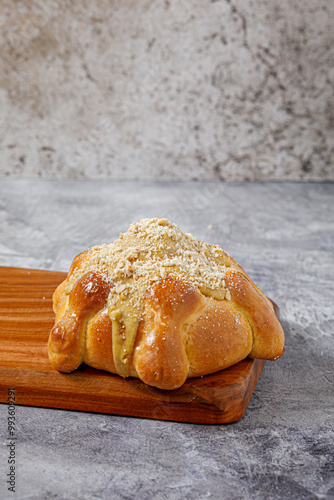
(153, 249)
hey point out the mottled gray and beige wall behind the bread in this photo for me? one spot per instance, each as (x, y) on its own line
(189, 89)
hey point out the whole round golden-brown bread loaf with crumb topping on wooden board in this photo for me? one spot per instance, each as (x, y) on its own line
(160, 305)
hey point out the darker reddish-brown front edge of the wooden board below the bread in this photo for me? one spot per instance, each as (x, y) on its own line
(198, 401)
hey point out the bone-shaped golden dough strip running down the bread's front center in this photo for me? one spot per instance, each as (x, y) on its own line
(159, 357)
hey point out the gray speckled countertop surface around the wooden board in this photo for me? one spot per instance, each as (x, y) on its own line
(283, 235)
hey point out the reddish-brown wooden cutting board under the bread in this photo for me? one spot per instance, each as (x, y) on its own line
(26, 317)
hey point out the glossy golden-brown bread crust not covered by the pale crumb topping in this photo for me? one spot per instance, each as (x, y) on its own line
(182, 332)
